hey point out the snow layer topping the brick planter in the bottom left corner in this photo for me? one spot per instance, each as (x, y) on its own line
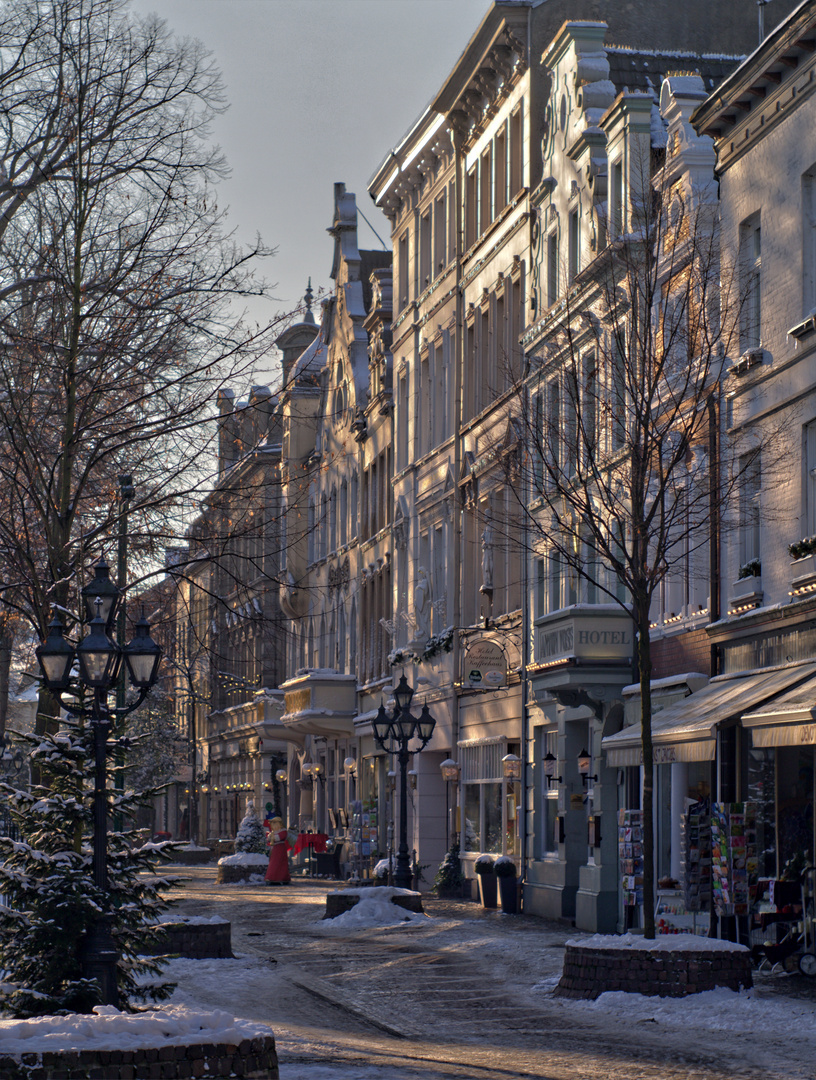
(108, 1029)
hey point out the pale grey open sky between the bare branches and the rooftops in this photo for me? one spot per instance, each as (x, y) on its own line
(320, 91)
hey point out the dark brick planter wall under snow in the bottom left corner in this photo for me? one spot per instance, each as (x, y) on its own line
(253, 1060)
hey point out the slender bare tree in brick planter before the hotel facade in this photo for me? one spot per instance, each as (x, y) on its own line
(631, 474)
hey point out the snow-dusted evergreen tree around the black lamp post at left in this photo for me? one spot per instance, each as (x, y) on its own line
(47, 883)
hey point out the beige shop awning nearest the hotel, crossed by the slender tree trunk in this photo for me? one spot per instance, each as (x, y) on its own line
(687, 731)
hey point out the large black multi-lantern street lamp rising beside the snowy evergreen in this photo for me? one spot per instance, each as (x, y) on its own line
(100, 661)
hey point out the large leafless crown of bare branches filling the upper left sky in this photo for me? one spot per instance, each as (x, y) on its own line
(118, 301)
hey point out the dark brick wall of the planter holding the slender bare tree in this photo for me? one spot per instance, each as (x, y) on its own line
(591, 971)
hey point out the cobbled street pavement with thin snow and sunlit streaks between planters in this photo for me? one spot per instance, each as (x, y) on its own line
(451, 998)
